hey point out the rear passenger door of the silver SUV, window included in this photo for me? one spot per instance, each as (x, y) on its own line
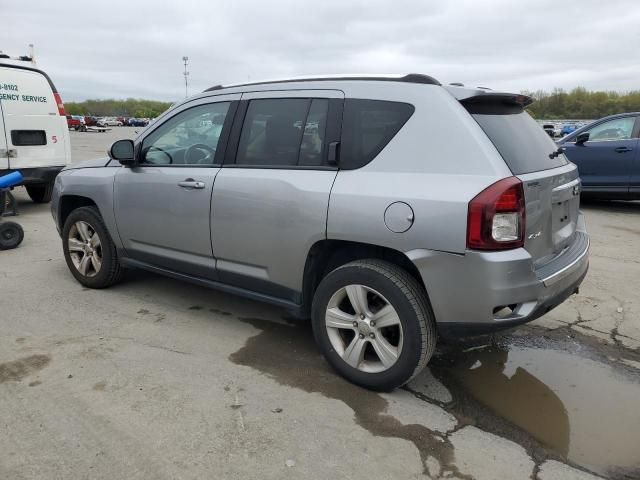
(271, 197)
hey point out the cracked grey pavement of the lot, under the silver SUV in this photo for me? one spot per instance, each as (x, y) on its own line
(154, 378)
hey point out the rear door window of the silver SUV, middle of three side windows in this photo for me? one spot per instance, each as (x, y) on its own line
(283, 132)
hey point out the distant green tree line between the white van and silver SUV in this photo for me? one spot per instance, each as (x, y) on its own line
(131, 107)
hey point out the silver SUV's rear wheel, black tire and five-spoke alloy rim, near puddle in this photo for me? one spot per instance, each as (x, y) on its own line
(382, 282)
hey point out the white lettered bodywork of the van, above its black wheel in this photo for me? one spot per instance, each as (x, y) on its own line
(36, 132)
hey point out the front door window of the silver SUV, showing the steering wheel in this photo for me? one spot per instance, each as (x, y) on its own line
(189, 138)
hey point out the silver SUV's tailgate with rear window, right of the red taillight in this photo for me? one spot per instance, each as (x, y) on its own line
(551, 183)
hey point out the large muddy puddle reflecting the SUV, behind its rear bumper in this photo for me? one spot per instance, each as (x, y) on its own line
(579, 408)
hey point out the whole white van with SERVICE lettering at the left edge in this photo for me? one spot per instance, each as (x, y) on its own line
(34, 137)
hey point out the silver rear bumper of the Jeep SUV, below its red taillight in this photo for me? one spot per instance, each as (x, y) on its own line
(483, 292)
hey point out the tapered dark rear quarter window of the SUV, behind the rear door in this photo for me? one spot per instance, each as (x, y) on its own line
(367, 127)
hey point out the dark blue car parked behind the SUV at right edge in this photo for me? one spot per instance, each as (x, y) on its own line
(605, 160)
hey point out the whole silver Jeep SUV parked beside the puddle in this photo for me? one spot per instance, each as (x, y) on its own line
(389, 209)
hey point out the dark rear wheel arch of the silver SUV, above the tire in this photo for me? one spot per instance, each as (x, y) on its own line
(325, 256)
